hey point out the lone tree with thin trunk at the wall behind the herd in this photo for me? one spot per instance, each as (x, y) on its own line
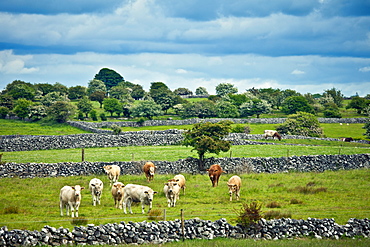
(206, 137)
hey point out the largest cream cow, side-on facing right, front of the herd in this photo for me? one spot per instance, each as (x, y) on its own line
(137, 193)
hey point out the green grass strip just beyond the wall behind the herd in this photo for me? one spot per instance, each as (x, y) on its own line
(173, 153)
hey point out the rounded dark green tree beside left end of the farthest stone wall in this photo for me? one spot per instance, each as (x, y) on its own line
(60, 111)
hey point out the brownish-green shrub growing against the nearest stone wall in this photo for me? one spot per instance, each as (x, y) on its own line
(249, 214)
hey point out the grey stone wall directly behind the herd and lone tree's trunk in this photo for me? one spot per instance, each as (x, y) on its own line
(312, 163)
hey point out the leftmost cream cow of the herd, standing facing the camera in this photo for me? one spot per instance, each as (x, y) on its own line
(70, 197)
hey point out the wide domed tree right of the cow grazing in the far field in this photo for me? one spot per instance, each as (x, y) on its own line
(301, 123)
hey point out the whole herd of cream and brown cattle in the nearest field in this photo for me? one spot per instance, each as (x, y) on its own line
(124, 195)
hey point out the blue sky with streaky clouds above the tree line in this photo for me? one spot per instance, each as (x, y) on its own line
(308, 45)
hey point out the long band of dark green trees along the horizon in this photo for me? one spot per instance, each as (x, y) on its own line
(119, 97)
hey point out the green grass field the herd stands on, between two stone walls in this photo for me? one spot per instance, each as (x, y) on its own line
(37, 200)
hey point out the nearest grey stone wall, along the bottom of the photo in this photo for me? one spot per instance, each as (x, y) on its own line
(169, 231)
